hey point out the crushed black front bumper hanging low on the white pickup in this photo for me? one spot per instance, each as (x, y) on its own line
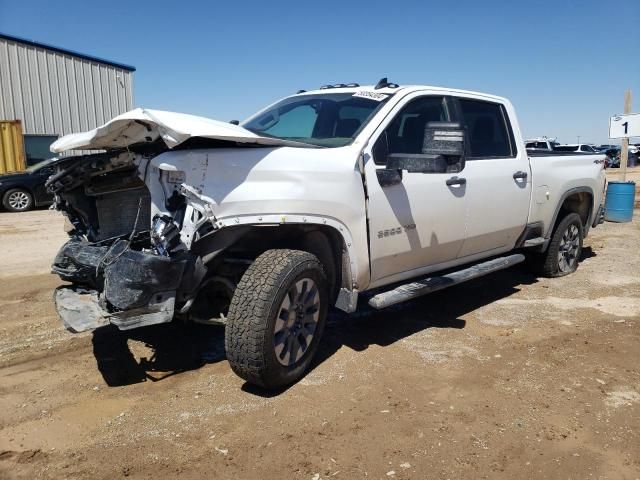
(127, 288)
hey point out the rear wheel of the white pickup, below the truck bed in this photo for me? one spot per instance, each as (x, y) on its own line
(562, 256)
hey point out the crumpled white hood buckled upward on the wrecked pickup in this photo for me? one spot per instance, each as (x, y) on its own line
(144, 126)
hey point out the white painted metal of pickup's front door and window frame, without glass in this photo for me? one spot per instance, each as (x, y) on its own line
(419, 200)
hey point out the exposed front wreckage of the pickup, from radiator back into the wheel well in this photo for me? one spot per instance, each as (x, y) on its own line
(133, 263)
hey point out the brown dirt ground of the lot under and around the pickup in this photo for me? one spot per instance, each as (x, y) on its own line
(510, 376)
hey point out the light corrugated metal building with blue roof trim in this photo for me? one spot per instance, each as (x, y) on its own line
(53, 91)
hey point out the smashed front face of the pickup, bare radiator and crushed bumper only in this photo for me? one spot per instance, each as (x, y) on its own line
(125, 259)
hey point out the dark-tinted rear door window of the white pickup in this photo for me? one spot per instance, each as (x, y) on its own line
(488, 130)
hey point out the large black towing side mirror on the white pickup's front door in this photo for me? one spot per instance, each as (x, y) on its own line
(442, 151)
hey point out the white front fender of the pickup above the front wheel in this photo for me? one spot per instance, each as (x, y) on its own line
(272, 186)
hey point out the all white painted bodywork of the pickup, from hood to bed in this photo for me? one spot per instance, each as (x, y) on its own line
(434, 226)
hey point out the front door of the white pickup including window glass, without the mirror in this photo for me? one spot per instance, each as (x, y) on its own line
(418, 223)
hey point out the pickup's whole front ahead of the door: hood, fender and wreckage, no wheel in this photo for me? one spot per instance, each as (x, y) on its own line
(167, 218)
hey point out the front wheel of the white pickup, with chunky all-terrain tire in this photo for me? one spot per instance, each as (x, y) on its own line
(266, 340)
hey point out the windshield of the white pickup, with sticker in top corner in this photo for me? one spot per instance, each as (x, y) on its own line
(326, 120)
